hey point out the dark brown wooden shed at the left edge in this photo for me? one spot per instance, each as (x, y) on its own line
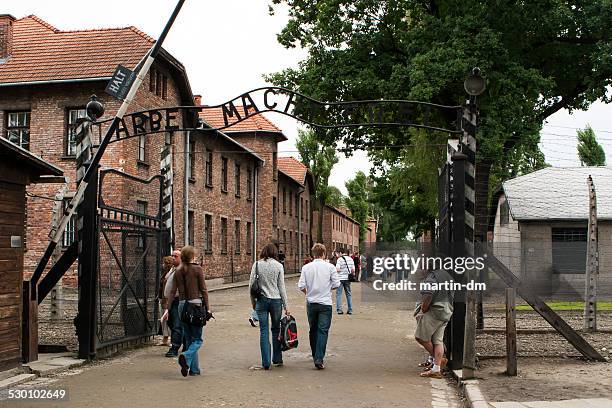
(18, 168)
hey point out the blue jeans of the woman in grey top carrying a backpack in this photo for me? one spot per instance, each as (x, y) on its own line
(272, 307)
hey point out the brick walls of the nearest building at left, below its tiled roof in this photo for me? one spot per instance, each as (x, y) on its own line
(48, 105)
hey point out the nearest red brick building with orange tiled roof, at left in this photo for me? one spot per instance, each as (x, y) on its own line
(46, 78)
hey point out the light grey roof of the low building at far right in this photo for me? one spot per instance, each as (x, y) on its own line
(559, 193)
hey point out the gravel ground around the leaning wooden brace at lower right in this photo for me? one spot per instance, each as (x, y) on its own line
(549, 368)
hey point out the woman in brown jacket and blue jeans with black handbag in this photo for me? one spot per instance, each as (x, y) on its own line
(189, 279)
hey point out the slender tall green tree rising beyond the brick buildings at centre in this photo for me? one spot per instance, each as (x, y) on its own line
(320, 159)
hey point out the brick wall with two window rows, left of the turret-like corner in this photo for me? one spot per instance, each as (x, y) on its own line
(213, 201)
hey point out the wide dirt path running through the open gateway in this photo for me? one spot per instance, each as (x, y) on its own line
(371, 363)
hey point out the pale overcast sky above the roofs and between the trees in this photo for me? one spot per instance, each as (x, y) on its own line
(228, 45)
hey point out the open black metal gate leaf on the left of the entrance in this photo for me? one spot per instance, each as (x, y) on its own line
(132, 241)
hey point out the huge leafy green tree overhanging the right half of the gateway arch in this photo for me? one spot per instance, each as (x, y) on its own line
(537, 56)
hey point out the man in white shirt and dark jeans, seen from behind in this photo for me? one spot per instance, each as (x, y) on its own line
(317, 280)
